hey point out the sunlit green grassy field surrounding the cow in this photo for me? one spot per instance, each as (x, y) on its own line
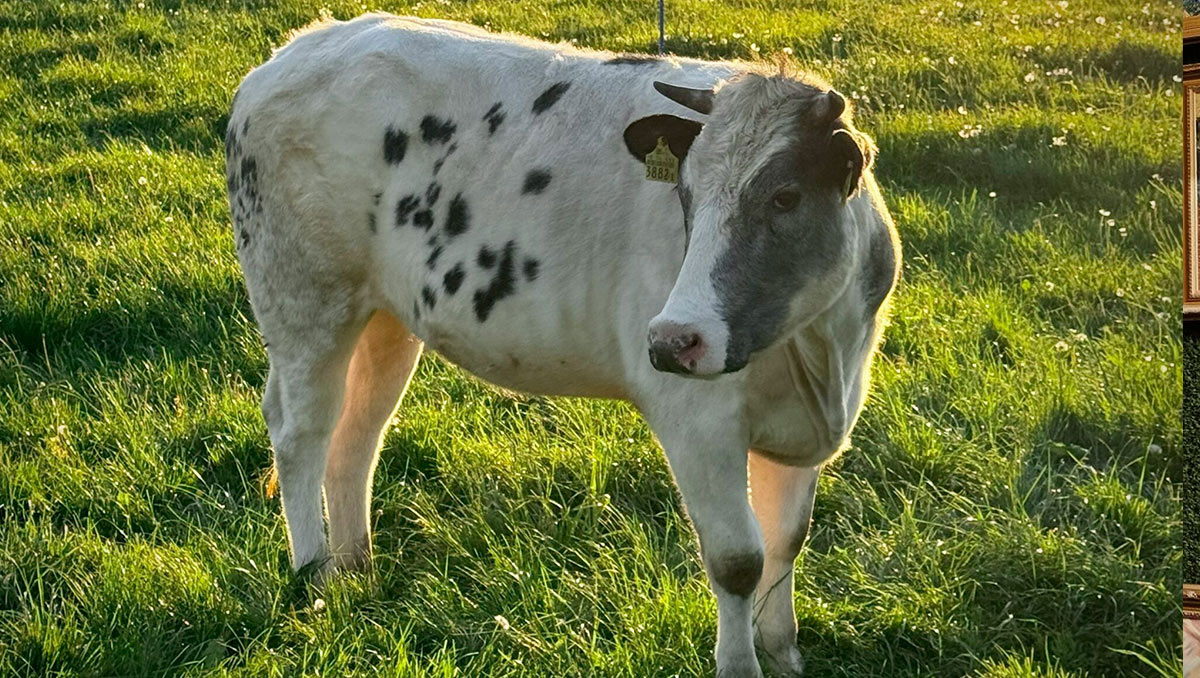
(1011, 506)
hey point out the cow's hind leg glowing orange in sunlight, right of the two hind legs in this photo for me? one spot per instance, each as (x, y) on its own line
(385, 361)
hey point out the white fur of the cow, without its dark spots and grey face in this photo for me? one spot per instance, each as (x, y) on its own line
(331, 297)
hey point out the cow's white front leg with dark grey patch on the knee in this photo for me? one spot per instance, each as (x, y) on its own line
(709, 459)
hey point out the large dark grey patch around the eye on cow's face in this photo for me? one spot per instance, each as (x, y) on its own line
(775, 255)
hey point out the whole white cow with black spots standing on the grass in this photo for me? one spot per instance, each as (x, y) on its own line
(398, 183)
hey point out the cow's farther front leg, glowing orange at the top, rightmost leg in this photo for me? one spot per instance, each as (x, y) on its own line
(782, 497)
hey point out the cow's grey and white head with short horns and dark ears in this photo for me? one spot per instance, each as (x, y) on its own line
(765, 183)
